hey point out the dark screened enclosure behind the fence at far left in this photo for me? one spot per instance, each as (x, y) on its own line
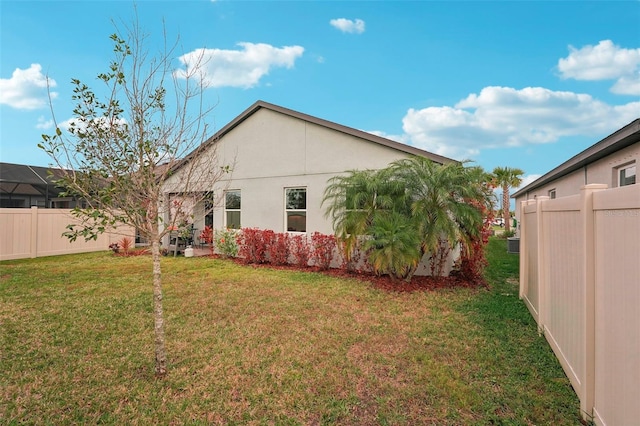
(23, 186)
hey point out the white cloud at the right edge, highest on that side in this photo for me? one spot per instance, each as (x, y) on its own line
(605, 61)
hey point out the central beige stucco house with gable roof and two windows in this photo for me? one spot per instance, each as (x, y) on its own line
(282, 160)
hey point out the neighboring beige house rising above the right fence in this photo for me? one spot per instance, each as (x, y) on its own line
(612, 161)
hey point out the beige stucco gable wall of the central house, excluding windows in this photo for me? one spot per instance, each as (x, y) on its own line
(271, 151)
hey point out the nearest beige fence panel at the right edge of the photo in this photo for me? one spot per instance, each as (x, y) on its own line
(617, 294)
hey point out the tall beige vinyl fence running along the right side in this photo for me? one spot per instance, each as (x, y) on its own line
(580, 279)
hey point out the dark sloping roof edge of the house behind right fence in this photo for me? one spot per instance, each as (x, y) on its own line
(622, 138)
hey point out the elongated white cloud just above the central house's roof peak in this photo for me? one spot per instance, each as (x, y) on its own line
(237, 68)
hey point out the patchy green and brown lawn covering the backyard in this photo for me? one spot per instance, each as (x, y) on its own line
(258, 346)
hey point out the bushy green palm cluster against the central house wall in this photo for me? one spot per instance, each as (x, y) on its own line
(412, 207)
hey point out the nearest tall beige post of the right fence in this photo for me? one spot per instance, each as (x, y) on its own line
(588, 261)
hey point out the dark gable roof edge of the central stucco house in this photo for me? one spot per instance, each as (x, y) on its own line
(320, 122)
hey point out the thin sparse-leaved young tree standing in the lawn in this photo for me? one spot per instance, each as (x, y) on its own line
(136, 157)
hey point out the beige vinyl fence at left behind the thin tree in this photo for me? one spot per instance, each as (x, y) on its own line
(35, 232)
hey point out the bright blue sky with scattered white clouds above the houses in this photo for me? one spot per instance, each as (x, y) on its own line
(504, 83)
